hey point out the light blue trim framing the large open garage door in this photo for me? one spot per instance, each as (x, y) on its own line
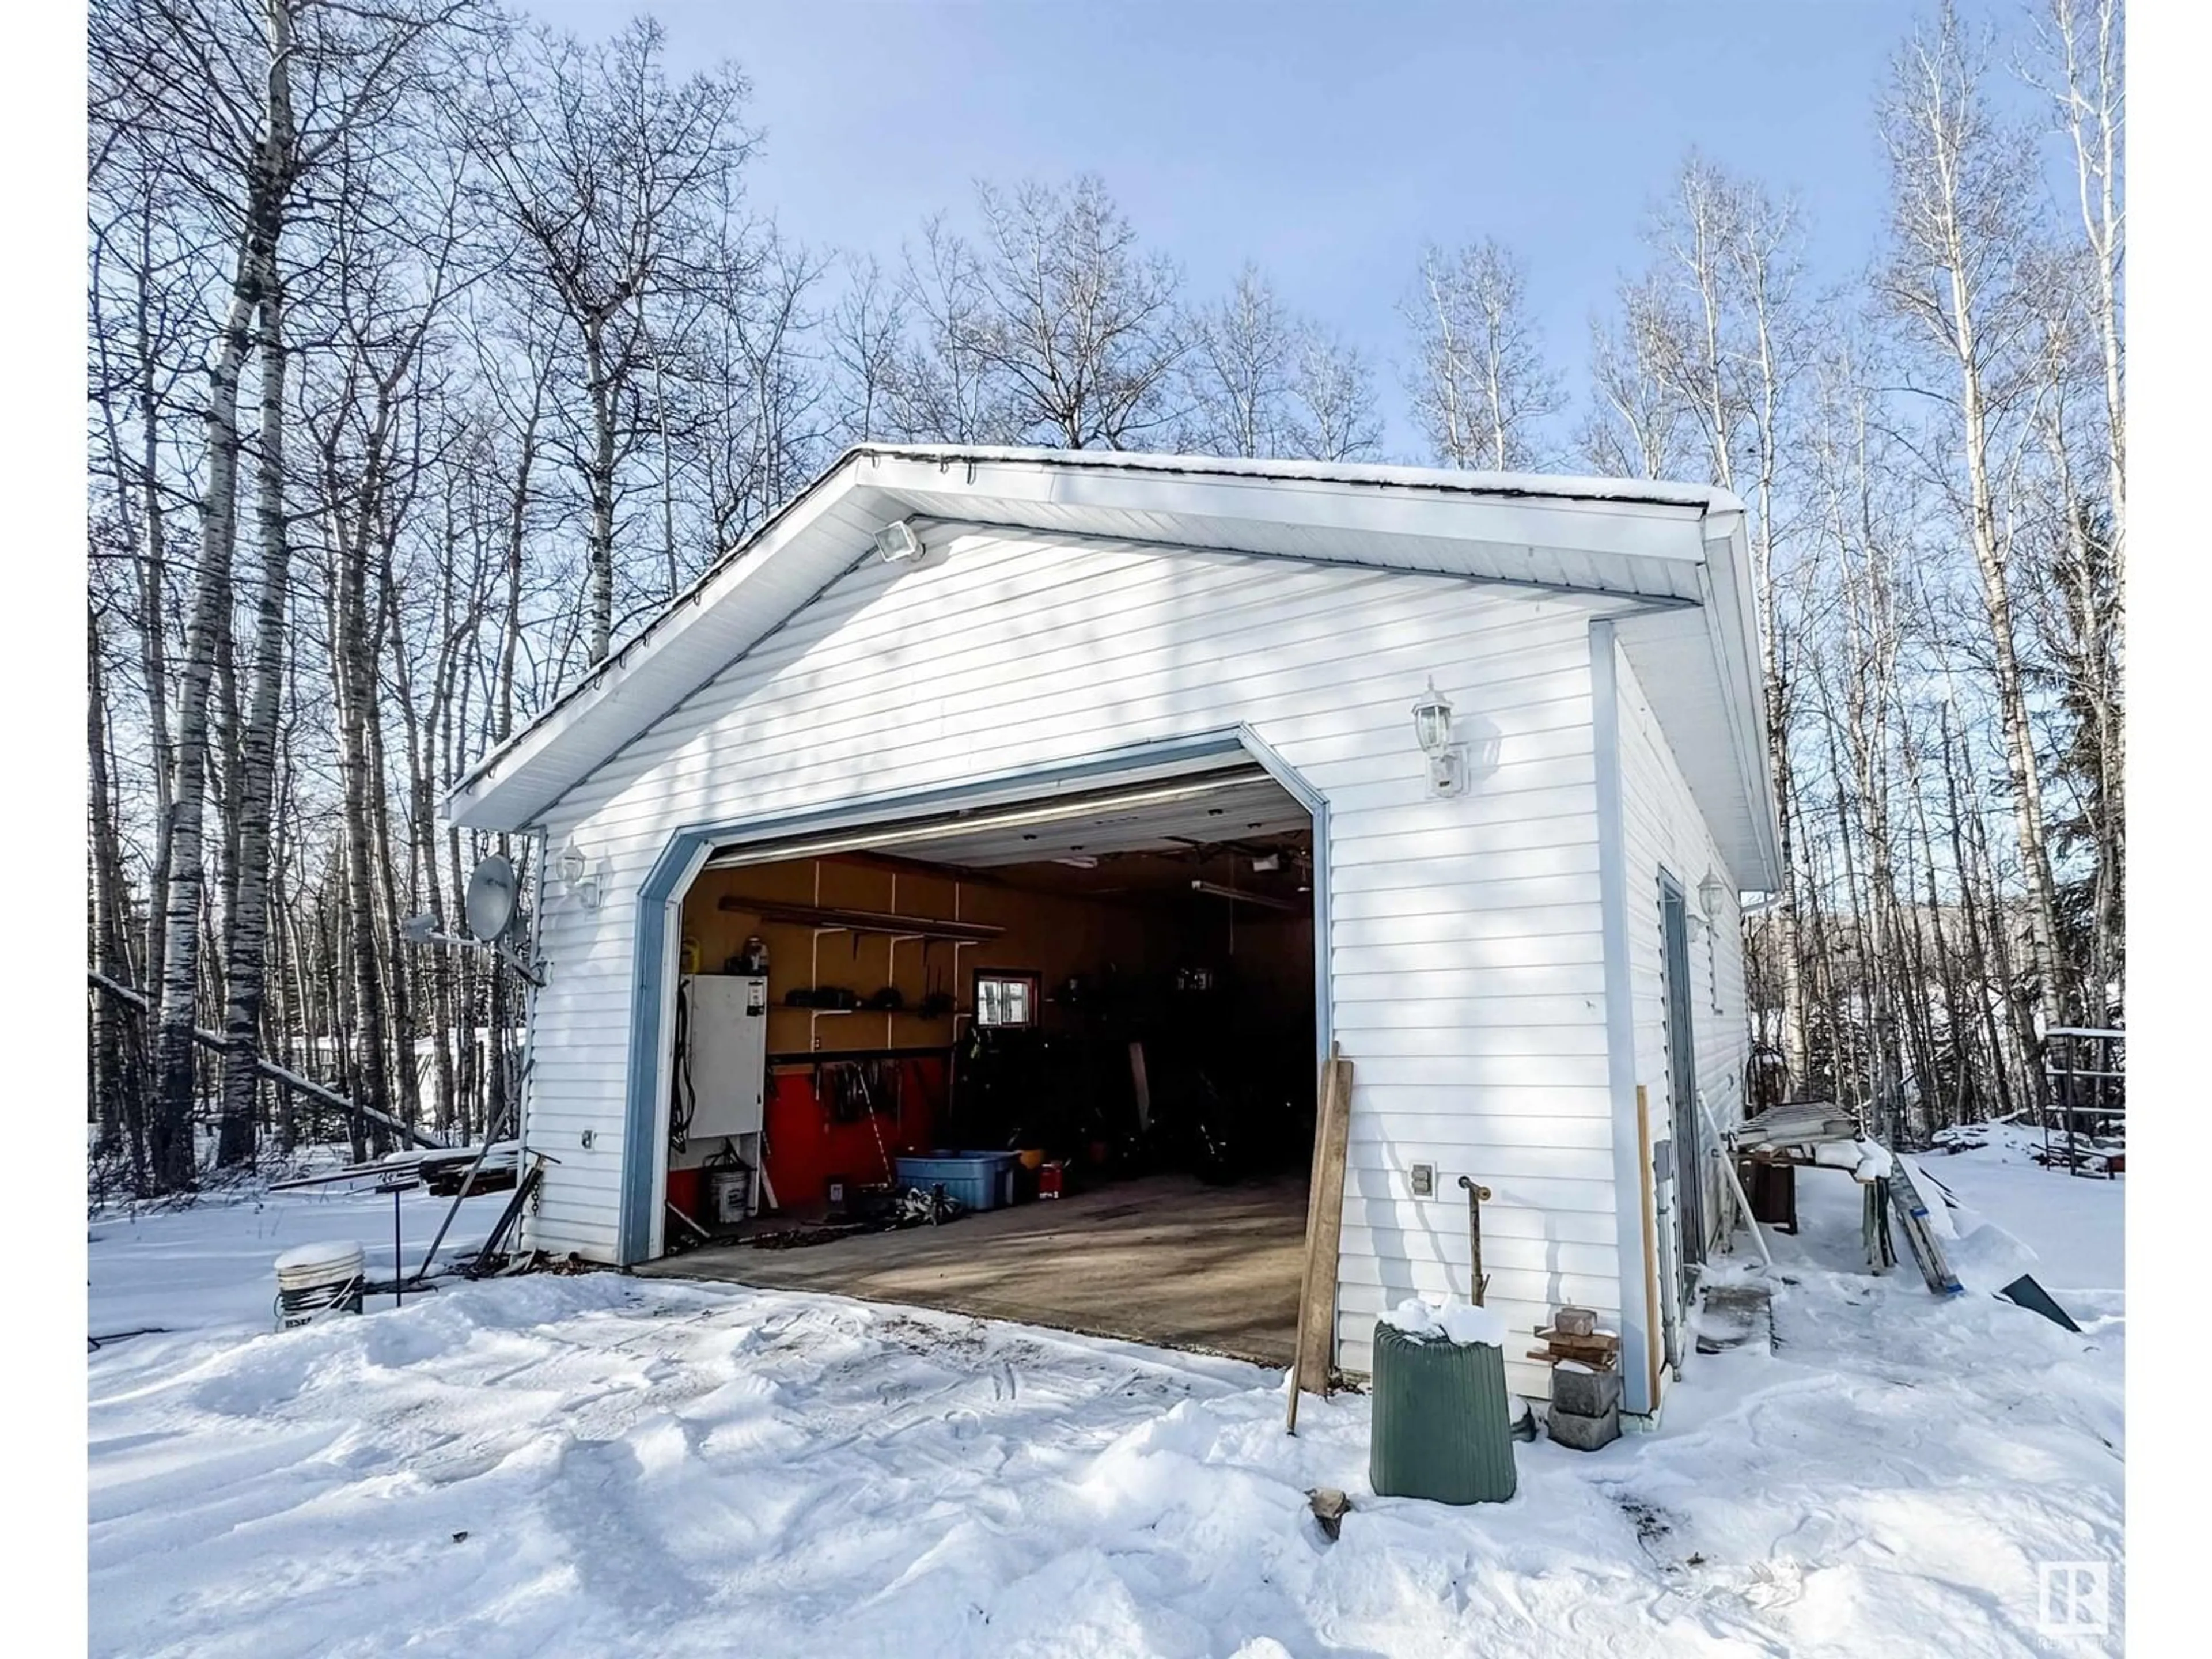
(662, 893)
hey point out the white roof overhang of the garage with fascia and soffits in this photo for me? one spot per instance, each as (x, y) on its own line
(1671, 556)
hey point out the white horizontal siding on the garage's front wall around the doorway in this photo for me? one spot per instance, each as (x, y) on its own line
(1465, 935)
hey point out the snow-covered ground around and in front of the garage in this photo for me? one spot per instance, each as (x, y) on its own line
(598, 1465)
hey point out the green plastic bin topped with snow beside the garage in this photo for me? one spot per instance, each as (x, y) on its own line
(1443, 1423)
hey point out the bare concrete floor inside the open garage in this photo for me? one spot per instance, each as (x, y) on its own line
(1162, 1260)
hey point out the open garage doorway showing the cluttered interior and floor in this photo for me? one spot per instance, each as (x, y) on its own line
(1047, 1063)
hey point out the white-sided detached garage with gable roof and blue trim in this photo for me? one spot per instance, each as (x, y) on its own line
(1019, 720)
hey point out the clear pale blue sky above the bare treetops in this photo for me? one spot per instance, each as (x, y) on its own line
(1324, 143)
